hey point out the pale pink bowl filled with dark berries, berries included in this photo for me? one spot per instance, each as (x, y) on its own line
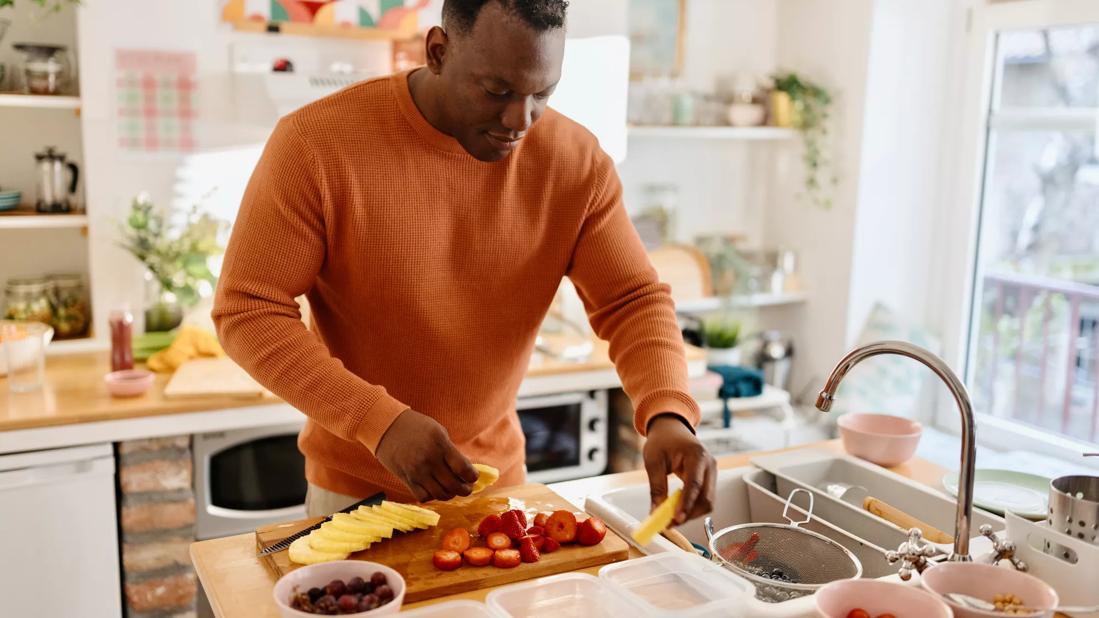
(341, 588)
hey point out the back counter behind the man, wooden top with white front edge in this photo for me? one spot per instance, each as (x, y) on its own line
(74, 407)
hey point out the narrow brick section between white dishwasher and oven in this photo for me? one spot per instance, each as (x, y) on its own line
(158, 527)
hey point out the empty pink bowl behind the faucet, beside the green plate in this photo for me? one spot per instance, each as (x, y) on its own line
(882, 439)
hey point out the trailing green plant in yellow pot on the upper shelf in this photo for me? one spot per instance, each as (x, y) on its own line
(811, 106)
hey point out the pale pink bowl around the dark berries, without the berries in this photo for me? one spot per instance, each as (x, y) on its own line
(318, 576)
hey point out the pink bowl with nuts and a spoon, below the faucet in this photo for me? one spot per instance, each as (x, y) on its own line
(1006, 591)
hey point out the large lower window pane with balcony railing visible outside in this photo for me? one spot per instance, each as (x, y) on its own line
(1037, 308)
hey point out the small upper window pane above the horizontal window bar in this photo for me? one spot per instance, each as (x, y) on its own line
(1049, 69)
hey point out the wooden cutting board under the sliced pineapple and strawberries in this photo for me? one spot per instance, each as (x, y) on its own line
(410, 554)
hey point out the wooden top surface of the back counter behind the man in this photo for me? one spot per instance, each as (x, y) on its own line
(75, 392)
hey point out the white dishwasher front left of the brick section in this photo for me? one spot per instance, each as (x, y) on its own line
(59, 534)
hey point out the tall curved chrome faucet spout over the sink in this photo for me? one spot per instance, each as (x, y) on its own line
(964, 515)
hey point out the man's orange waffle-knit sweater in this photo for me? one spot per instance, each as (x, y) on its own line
(428, 274)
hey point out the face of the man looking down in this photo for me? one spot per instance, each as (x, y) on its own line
(498, 78)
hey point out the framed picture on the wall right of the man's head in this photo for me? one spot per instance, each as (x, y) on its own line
(657, 38)
